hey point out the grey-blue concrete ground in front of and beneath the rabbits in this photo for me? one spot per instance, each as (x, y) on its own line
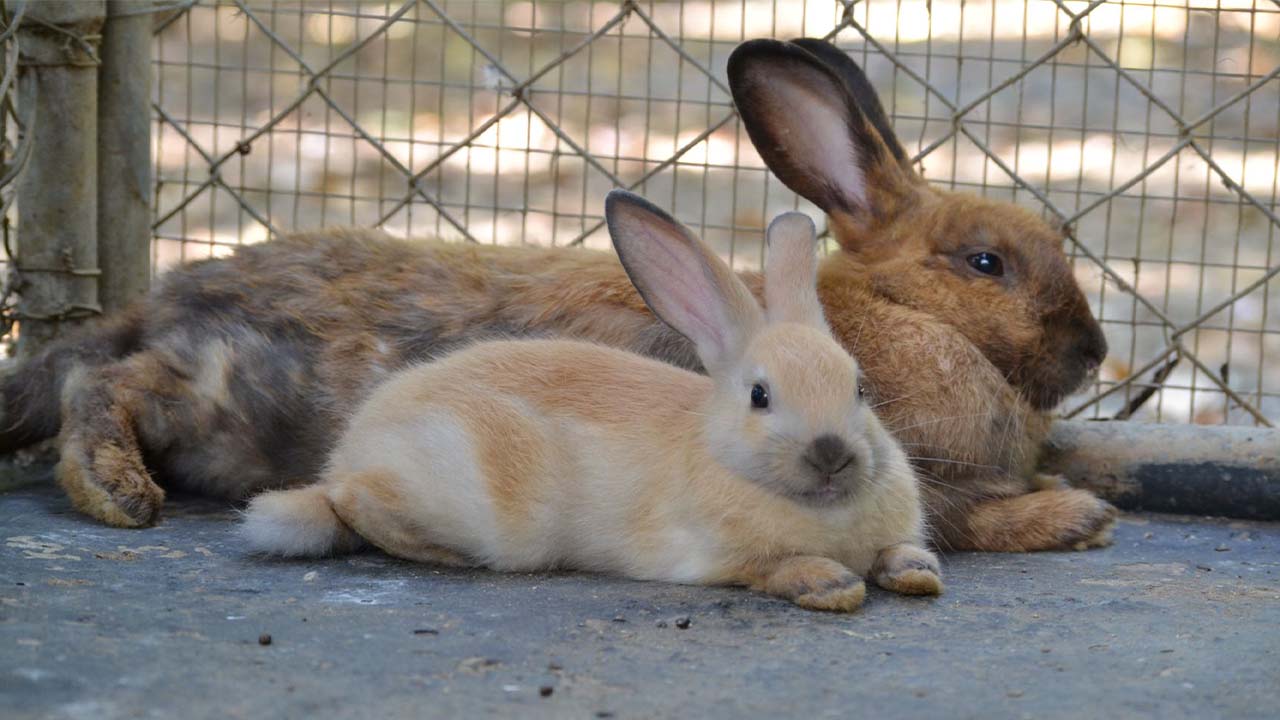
(1181, 618)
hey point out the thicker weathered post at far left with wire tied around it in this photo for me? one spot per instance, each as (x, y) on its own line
(57, 256)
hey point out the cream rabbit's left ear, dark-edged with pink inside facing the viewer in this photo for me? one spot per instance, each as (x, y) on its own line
(682, 281)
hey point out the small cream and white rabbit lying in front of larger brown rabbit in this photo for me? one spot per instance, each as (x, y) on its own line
(525, 455)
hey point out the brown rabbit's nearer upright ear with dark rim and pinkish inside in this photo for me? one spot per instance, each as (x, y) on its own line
(812, 133)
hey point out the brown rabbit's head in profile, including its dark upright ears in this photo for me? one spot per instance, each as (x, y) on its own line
(993, 271)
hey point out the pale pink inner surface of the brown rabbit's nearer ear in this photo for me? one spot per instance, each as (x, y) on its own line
(817, 136)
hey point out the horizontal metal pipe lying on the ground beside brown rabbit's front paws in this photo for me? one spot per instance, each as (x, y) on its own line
(1190, 470)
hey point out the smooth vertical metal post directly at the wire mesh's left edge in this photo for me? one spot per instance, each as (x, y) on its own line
(125, 154)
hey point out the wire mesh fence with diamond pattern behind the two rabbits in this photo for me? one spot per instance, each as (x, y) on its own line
(1149, 130)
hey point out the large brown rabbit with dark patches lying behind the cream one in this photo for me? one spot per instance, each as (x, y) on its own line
(237, 375)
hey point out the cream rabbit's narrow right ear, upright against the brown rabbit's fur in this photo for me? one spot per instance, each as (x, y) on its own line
(792, 272)
